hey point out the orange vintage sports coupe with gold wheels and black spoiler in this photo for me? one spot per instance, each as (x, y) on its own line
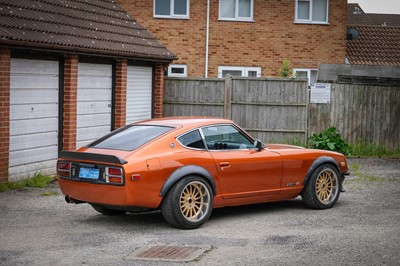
(186, 166)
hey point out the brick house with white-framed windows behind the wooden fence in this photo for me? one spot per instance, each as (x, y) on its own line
(246, 37)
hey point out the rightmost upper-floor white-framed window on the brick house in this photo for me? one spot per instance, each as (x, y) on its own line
(312, 11)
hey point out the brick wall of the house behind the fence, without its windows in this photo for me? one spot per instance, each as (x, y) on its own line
(265, 43)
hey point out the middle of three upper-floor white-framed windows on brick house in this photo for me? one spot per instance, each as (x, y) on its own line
(240, 10)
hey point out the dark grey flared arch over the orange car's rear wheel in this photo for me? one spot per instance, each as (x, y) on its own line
(185, 171)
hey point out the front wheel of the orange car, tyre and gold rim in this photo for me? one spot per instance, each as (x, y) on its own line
(322, 189)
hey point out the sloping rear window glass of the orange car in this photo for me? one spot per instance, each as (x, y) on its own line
(130, 137)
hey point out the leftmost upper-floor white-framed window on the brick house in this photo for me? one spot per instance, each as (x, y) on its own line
(171, 8)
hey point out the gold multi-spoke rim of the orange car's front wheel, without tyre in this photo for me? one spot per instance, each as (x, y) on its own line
(327, 186)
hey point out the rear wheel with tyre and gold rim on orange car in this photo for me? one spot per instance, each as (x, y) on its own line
(188, 204)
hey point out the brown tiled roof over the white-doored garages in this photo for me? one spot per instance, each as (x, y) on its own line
(97, 26)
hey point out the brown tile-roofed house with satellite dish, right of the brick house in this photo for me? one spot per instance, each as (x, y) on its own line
(373, 39)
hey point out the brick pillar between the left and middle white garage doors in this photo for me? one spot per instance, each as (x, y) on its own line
(70, 101)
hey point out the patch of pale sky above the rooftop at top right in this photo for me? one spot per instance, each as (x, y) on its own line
(379, 6)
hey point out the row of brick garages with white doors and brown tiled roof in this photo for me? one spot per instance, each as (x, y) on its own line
(70, 72)
